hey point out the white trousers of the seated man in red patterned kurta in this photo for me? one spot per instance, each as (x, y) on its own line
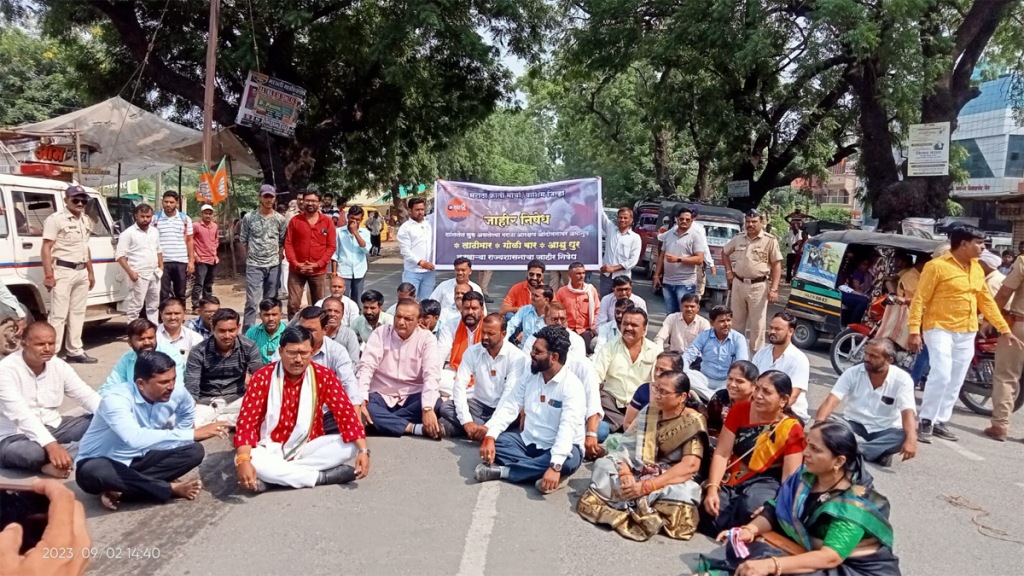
(302, 472)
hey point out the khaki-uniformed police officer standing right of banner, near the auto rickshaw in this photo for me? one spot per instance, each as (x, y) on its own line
(753, 268)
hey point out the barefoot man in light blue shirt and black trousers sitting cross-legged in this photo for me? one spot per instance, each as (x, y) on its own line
(143, 439)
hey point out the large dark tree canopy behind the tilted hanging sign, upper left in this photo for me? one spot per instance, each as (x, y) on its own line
(383, 79)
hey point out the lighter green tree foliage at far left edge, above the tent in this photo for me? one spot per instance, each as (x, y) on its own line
(36, 78)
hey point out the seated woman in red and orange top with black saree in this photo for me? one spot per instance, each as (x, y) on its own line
(760, 446)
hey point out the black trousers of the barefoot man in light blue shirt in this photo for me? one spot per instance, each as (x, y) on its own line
(147, 479)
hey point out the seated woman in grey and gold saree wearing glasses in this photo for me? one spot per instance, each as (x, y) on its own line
(648, 485)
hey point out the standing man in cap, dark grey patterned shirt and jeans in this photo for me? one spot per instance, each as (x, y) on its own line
(263, 238)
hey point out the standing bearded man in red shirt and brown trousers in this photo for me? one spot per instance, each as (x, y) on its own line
(310, 245)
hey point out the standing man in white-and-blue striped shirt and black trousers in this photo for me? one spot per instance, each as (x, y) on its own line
(177, 240)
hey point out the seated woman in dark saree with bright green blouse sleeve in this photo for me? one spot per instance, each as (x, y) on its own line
(833, 521)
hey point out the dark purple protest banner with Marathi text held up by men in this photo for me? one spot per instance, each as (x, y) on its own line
(505, 228)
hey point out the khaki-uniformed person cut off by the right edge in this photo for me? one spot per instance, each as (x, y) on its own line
(1009, 358)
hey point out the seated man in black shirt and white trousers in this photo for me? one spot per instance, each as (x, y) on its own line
(220, 369)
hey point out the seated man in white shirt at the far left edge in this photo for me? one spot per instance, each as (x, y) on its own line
(33, 384)
